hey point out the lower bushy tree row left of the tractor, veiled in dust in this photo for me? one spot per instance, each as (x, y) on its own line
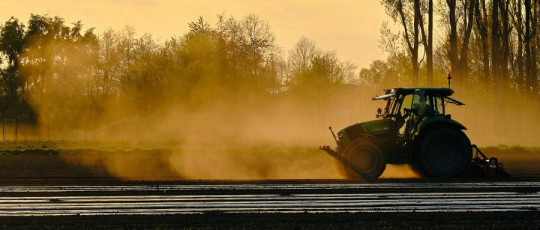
(49, 67)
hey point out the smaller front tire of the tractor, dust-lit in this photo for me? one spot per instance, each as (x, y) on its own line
(364, 159)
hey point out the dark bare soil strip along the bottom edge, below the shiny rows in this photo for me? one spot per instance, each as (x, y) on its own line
(476, 220)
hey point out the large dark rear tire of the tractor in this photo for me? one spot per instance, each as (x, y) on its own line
(442, 152)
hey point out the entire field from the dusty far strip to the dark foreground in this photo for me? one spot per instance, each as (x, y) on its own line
(56, 167)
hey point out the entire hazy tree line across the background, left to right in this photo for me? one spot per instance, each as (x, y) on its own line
(58, 73)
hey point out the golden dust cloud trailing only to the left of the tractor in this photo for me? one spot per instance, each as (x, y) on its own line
(240, 132)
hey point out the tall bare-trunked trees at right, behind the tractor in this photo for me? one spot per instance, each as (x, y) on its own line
(485, 43)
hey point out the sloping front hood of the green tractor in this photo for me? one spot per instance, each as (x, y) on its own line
(375, 127)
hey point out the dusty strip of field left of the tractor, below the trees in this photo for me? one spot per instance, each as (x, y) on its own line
(162, 161)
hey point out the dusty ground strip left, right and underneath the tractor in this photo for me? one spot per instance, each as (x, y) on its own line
(172, 164)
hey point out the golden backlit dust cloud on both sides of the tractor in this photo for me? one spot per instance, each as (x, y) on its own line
(239, 132)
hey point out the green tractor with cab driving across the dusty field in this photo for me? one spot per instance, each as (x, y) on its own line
(414, 129)
